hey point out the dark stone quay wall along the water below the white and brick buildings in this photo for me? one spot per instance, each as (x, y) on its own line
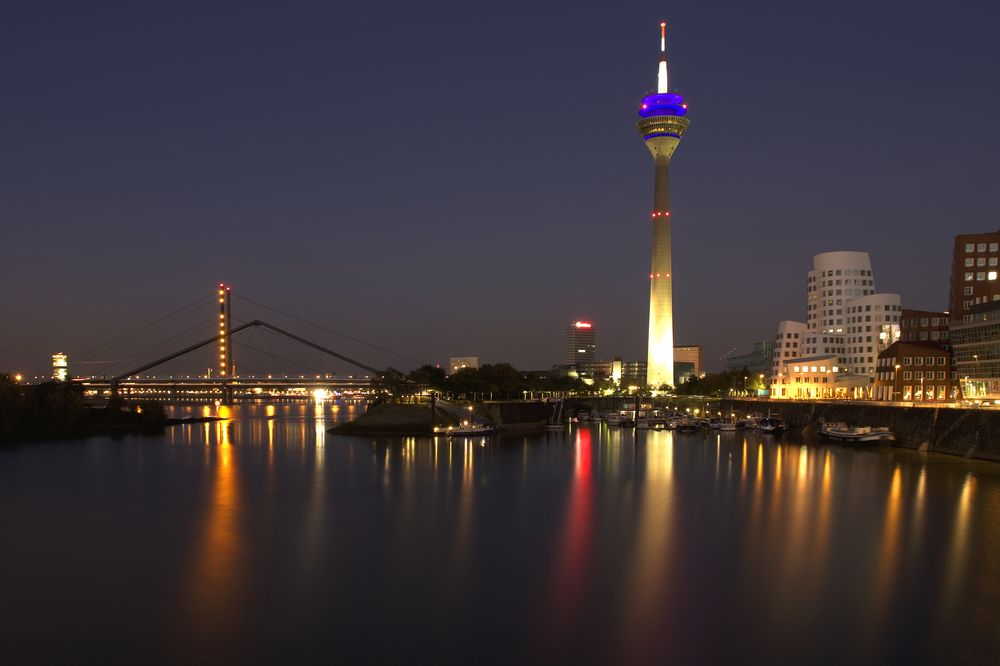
(973, 433)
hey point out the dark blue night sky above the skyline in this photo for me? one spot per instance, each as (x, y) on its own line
(458, 178)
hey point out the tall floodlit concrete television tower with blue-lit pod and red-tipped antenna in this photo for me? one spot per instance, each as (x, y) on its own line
(662, 123)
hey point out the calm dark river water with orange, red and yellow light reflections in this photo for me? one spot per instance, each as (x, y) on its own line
(263, 539)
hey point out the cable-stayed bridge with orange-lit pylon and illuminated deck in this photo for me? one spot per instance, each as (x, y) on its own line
(227, 359)
